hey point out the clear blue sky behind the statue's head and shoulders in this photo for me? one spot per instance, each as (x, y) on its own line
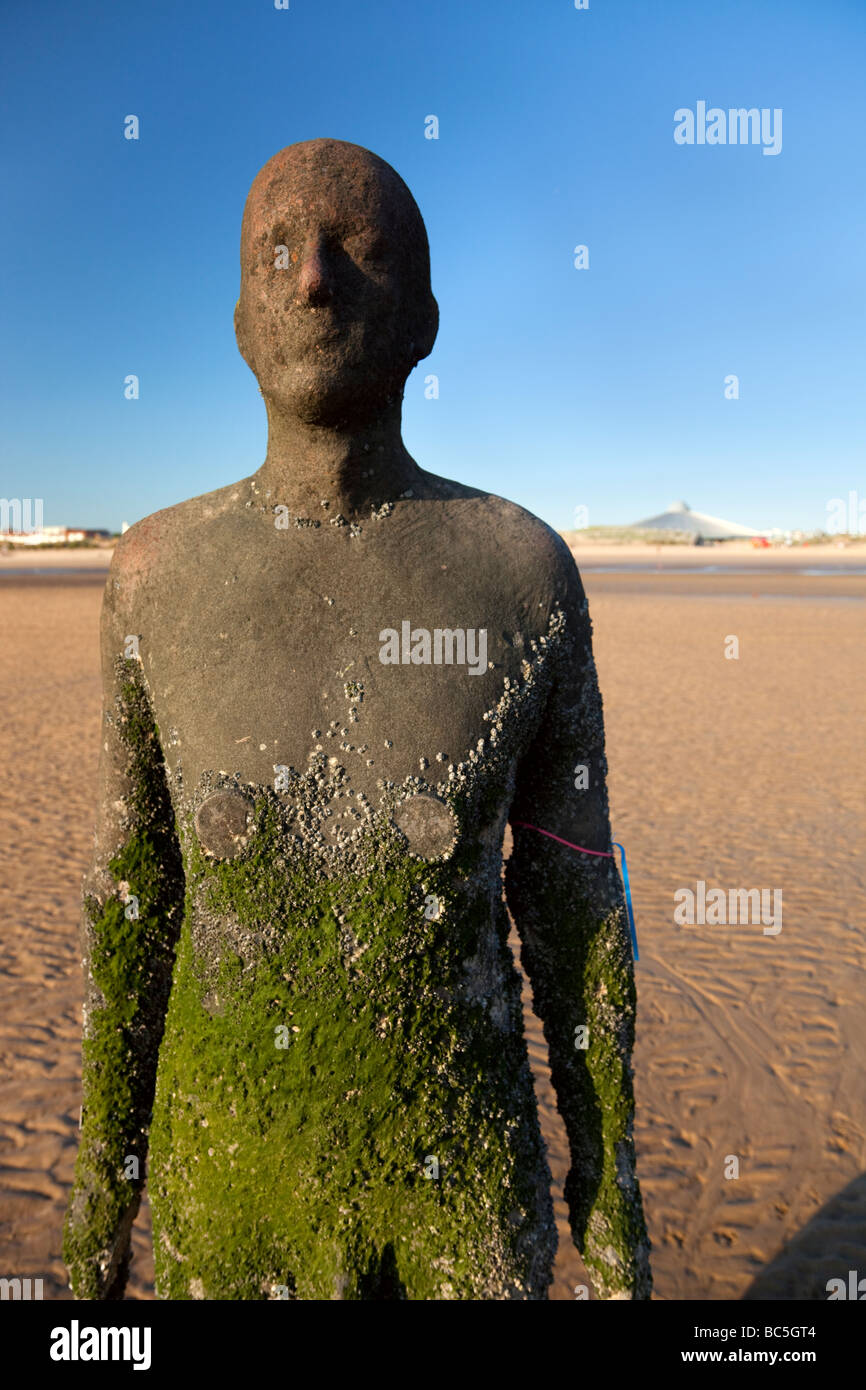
(558, 387)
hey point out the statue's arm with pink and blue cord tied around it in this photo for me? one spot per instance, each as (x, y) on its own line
(576, 950)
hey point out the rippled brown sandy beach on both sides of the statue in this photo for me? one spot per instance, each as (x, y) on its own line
(739, 774)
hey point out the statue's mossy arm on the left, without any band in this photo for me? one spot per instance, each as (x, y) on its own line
(131, 915)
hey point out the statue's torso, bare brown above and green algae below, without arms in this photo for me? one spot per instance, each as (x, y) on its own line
(345, 1007)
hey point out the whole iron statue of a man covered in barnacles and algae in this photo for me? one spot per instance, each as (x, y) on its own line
(348, 678)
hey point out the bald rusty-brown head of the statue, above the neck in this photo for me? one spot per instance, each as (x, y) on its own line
(336, 306)
